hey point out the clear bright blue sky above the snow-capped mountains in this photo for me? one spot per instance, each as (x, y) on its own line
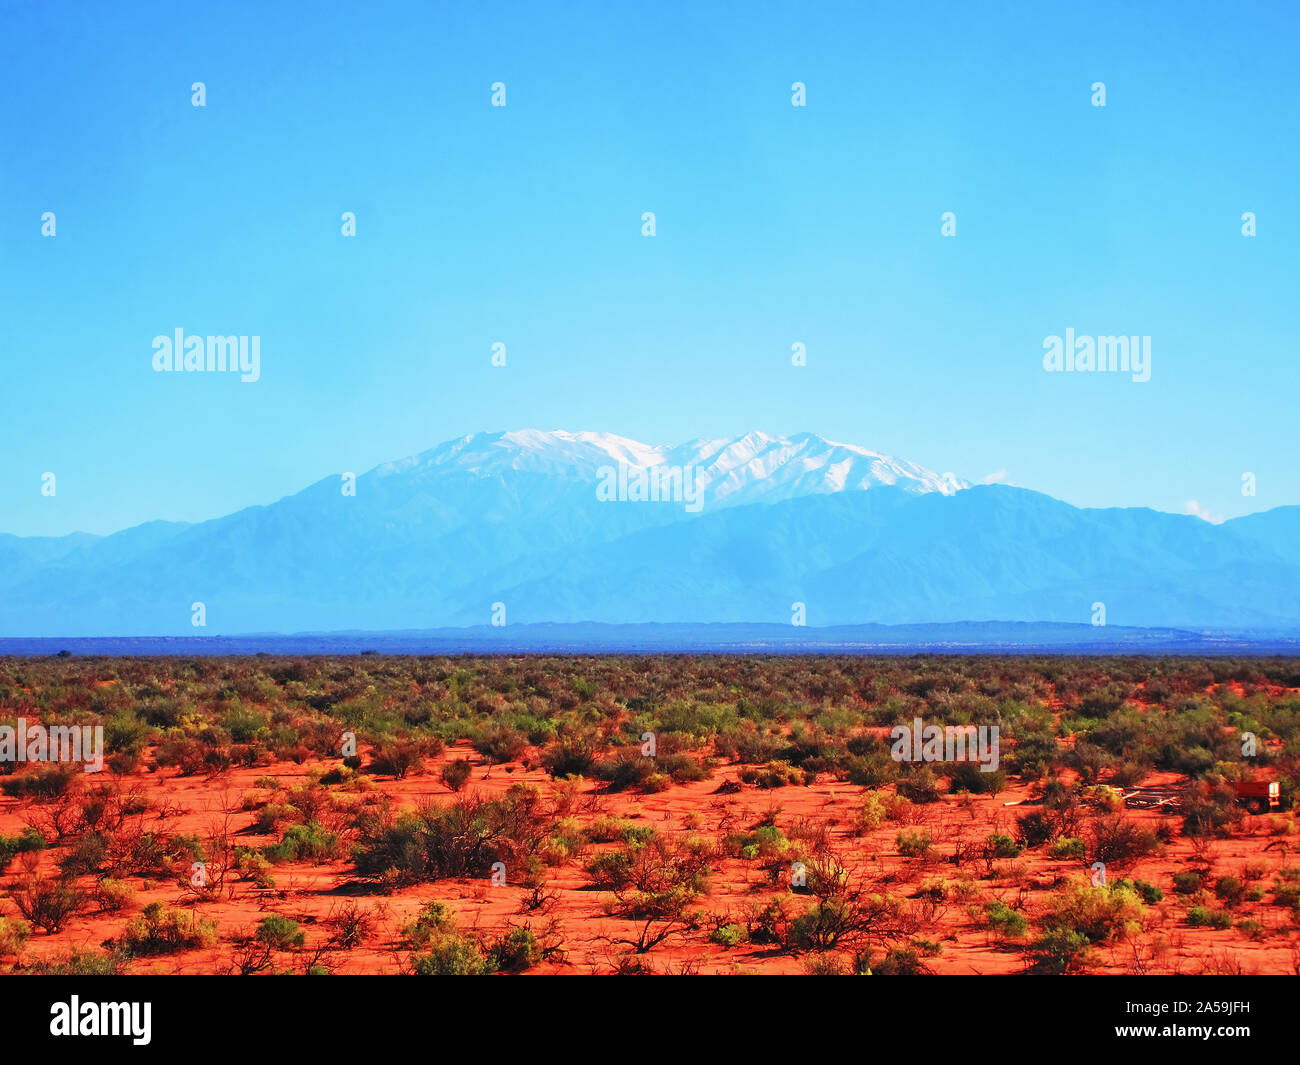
(523, 226)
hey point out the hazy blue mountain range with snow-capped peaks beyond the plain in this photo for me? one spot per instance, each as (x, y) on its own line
(781, 543)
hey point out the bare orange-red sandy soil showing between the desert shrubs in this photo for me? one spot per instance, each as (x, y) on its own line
(310, 891)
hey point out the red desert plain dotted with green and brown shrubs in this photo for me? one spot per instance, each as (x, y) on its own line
(668, 815)
